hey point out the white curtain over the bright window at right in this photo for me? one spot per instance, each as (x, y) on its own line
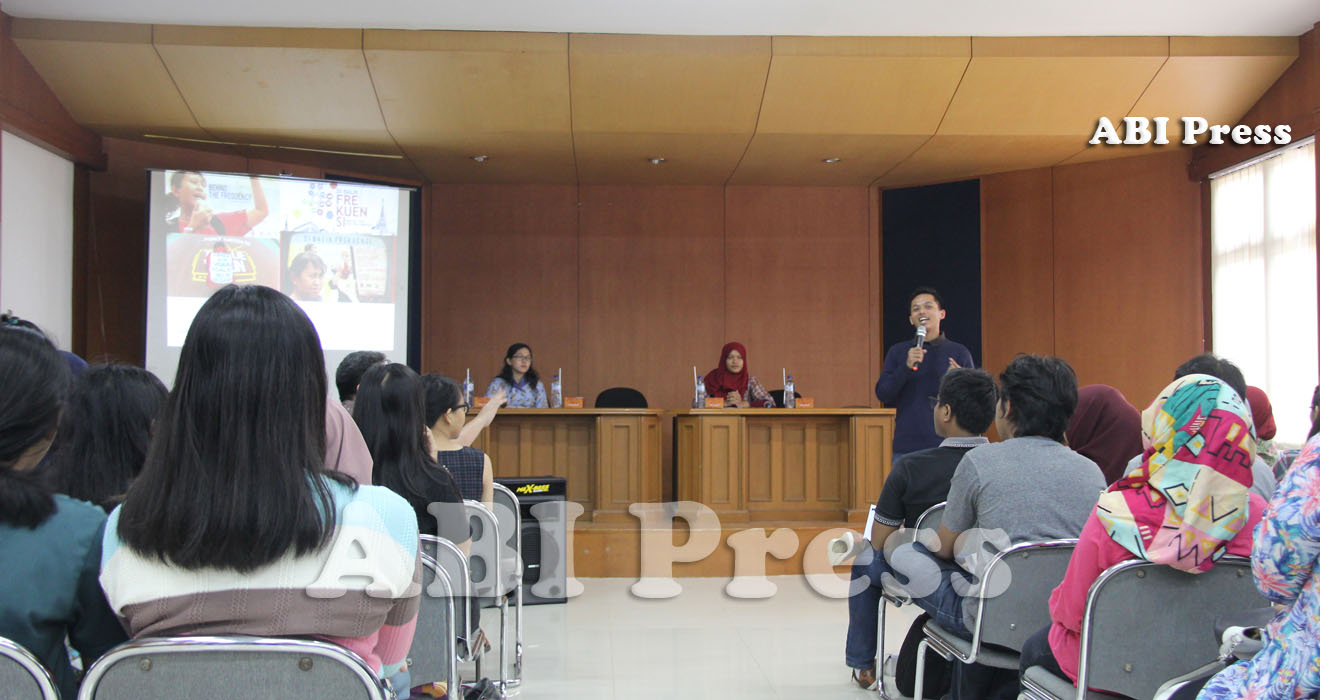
(1264, 281)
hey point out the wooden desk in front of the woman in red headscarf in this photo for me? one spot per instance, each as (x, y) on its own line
(799, 464)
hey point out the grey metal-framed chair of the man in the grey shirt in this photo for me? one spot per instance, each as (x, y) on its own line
(1012, 599)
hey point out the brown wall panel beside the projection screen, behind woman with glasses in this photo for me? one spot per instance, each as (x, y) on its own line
(501, 266)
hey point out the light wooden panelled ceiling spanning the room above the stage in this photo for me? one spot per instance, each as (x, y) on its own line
(592, 108)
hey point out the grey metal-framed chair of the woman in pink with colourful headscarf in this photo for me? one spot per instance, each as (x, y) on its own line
(1175, 613)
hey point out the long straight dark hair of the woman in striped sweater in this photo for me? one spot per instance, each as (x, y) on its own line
(236, 476)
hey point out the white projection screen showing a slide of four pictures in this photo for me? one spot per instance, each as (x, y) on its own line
(339, 249)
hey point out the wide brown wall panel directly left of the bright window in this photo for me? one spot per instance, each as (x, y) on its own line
(1128, 271)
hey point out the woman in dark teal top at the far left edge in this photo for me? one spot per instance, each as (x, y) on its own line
(49, 545)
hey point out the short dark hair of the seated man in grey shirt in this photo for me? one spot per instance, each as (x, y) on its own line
(1042, 394)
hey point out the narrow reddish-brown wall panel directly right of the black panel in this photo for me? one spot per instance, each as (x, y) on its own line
(1017, 266)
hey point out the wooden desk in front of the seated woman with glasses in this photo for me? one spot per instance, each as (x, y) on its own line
(609, 456)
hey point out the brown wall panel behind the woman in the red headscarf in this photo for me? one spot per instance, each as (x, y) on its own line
(798, 269)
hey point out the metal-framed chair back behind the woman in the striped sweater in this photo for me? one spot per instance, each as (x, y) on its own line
(228, 668)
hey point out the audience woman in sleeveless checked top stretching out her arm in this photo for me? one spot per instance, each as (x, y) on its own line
(447, 418)
